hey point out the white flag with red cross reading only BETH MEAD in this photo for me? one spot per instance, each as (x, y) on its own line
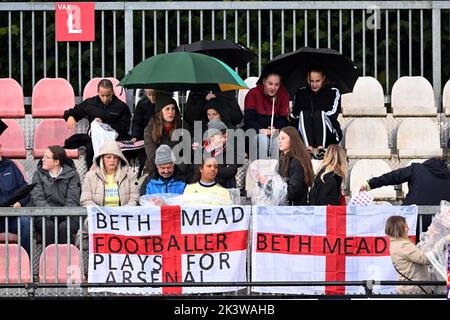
(324, 244)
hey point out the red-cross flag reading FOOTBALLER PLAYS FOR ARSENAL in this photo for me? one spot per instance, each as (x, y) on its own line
(167, 244)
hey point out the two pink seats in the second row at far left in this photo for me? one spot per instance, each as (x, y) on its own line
(48, 132)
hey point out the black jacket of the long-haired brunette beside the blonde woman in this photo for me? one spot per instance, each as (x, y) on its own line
(297, 189)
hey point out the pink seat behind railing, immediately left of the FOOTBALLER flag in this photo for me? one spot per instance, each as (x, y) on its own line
(67, 270)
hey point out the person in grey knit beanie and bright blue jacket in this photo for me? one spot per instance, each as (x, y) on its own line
(165, 178)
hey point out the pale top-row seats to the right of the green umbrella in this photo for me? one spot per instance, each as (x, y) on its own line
(411, 97)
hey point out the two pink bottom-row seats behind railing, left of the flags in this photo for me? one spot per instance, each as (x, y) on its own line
(19, 261)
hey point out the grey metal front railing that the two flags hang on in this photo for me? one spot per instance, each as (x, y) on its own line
(81, 212)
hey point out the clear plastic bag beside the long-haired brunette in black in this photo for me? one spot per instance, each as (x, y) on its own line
(269, 189)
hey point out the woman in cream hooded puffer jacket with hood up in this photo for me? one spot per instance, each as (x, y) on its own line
(113, 182)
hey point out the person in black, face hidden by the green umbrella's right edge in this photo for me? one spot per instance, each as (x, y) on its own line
(199, 100)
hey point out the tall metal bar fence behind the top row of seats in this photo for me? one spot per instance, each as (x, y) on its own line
(386, 39)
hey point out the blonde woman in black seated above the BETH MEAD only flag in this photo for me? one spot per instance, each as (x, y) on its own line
(332, 172)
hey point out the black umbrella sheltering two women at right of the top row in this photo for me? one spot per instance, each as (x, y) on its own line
(293, 67)
